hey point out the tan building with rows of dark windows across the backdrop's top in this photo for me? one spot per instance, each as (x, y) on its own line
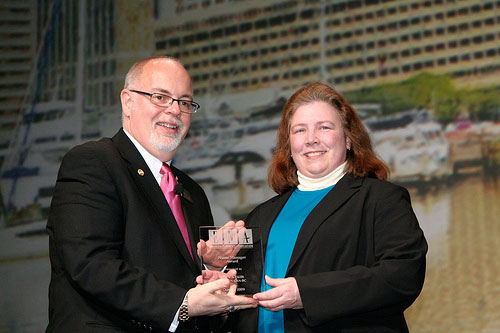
(234, 46)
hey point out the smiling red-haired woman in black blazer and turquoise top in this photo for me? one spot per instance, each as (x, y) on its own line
(343, 249)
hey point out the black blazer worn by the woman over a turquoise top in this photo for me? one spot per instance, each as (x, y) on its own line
(359, 259)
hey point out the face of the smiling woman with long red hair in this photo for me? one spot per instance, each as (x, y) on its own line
(317, 139)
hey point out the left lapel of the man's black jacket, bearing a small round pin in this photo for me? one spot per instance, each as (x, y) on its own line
(148, 185)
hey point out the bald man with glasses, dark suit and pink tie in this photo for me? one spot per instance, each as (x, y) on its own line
(119, 259)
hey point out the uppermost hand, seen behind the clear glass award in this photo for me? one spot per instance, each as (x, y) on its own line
(215, 257)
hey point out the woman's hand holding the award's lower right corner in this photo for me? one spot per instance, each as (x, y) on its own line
(284, 295)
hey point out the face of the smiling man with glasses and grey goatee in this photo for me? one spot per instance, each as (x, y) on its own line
(158, 129)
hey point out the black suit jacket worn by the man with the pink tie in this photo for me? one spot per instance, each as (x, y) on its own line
(118, 259)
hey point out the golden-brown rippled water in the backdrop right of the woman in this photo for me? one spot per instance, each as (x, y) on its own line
(462, 288)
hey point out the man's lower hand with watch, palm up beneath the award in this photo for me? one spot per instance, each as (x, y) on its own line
(209, 299)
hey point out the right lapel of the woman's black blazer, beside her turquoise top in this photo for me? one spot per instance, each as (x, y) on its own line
(342, 191)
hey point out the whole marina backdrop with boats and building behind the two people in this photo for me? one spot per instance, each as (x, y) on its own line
(424, 75)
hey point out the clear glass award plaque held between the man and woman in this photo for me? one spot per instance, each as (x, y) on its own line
(237, 248)
